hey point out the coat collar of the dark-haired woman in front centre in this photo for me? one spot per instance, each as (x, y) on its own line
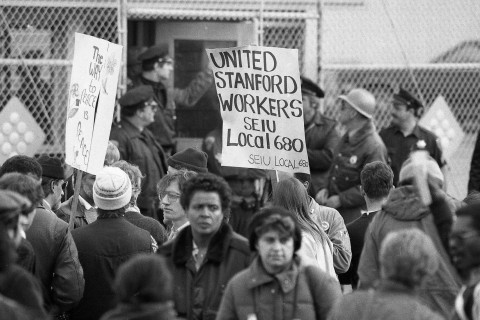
(287, 279)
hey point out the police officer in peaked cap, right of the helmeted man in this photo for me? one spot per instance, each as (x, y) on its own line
(405, 135)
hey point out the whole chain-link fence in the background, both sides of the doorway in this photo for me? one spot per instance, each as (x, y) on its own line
(36, 49)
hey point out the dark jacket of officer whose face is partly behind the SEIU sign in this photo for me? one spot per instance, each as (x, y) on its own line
(321, 139)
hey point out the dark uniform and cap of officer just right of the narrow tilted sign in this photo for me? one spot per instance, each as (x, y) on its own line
(142, 149)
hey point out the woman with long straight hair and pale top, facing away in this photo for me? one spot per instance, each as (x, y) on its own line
(317, 247)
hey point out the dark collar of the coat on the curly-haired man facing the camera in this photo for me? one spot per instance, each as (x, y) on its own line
(217, 248)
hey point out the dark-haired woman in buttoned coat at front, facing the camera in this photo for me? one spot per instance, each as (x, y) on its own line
(278, 285)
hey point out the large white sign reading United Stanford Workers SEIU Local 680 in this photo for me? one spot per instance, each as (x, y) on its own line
(261, 105)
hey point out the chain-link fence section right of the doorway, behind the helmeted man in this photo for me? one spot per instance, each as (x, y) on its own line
(430, 48)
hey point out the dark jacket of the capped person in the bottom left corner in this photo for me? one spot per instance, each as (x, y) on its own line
(22, 287)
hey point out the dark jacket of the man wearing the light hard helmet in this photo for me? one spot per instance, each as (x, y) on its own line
(351, 155)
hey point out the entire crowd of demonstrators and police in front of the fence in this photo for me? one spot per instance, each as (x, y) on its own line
(159, 234)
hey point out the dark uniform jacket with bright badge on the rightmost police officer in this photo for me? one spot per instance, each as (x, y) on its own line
(399, 147)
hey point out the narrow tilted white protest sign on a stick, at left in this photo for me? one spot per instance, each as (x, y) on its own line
(91, 101)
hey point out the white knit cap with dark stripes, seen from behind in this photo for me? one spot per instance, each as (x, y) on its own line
(112, 189)
